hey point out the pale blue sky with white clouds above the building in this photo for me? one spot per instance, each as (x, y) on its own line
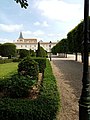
(46, 20)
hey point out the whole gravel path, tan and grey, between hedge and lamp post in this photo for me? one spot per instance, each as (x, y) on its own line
(68, 74)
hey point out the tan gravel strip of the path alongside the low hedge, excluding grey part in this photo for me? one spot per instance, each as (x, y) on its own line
(69, 96)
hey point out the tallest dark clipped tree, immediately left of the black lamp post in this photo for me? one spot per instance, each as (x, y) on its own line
(75, 38)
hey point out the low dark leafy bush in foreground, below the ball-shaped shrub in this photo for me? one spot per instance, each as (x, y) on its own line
(16, 87)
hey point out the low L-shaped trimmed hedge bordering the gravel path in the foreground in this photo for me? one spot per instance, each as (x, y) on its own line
(42, 108)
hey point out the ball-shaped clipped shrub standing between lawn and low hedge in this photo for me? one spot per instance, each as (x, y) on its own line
(28, 67)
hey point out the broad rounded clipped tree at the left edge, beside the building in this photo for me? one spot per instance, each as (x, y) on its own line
(8, 49)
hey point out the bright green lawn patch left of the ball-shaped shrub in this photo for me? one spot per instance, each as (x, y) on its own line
(8, 69)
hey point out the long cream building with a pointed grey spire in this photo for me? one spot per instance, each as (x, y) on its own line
(23, 43)
